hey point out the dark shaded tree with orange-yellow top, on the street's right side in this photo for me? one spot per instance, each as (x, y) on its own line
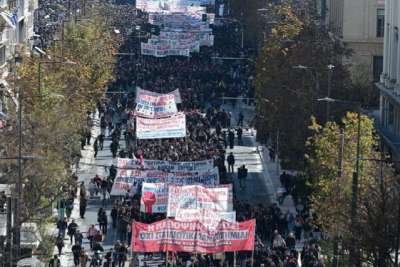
(286, 96)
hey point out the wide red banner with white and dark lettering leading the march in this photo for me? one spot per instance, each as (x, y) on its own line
(192, 237)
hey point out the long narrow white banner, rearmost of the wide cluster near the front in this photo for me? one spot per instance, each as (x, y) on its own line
(167, 166)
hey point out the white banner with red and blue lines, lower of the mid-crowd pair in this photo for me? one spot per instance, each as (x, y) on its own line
(173, 127)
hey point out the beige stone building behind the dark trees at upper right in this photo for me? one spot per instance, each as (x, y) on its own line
(360, 24)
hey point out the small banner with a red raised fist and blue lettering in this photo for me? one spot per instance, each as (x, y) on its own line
(154, 198)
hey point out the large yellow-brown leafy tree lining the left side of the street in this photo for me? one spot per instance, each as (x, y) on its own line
(54, 116)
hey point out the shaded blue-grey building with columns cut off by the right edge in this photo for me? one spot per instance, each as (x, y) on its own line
(388, 122)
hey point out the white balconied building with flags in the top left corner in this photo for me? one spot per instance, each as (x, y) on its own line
(16, 31)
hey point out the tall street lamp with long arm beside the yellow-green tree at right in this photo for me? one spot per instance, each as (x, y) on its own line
(356, 174)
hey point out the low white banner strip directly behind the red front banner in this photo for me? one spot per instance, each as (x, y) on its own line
(209, 218)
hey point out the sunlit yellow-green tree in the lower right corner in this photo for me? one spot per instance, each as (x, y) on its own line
(330, 175)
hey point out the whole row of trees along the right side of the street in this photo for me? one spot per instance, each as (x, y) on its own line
(343, 174)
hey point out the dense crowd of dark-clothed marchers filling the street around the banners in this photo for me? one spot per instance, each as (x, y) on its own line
(282, 237)
